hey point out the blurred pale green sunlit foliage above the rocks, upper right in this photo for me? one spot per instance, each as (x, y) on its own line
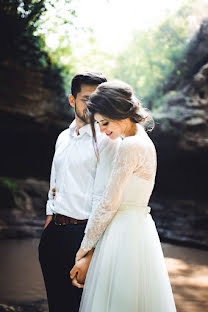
(154, 62)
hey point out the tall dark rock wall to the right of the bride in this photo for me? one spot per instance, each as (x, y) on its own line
(180, 204)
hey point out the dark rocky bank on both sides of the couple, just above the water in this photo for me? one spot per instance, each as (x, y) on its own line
(178, 222)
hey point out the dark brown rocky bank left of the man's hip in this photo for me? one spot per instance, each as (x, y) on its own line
(24, 215)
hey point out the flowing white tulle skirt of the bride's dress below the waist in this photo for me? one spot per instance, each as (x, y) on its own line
(127, 272)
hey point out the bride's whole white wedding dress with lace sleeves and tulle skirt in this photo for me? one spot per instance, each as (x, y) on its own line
(127, 272)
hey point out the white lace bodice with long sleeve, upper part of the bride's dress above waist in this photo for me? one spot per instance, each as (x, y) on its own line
(131, 180)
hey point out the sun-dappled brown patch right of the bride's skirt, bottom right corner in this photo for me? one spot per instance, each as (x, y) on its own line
(188, 272)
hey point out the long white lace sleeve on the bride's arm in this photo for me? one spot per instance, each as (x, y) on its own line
(130, 156)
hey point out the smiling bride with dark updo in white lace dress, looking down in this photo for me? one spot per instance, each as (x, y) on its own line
(127, 272)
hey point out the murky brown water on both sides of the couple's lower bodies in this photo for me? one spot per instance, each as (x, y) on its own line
(21, 279)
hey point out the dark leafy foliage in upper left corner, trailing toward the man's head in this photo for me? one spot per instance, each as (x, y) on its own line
(24, 44)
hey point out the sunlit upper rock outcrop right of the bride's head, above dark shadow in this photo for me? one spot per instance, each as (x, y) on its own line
(185, 114)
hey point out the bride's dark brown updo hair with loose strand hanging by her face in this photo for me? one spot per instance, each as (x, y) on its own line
(116, 101)
